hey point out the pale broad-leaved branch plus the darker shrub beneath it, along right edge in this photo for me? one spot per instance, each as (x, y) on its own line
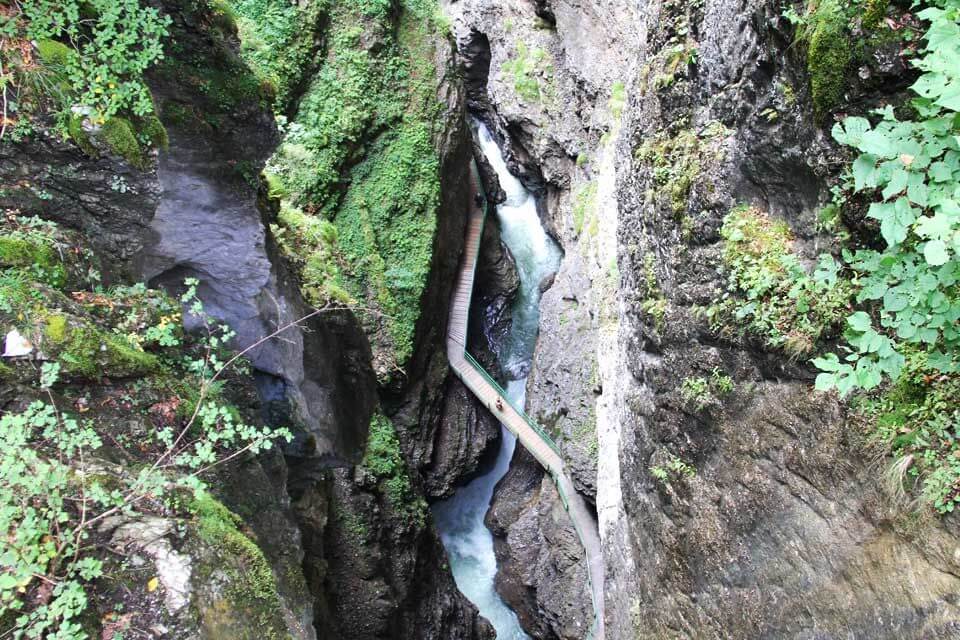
(907, 328)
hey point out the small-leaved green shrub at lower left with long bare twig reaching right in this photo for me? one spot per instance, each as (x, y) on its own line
(53, 491)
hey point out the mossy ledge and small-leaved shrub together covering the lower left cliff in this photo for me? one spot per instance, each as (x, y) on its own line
(61, 435)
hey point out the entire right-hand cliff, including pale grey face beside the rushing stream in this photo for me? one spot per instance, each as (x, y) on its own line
(641, 126)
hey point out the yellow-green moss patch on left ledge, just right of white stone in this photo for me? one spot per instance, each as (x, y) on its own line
(88, 352)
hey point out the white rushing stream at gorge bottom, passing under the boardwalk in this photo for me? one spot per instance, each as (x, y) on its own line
(468, 542)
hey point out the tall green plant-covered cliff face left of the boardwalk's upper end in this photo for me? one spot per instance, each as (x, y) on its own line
(360, 153)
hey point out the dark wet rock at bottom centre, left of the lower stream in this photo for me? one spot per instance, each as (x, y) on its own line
(382, 567)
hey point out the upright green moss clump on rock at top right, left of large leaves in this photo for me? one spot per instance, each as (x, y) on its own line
(829, 56)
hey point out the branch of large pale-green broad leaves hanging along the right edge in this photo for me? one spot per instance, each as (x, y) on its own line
(910, 286)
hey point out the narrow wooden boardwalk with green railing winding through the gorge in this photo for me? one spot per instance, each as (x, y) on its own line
(528, 434)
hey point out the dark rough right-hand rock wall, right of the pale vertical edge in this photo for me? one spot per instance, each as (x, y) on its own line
(784, 530)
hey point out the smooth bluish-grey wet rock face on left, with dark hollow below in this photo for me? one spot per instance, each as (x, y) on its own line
(210, 226)
